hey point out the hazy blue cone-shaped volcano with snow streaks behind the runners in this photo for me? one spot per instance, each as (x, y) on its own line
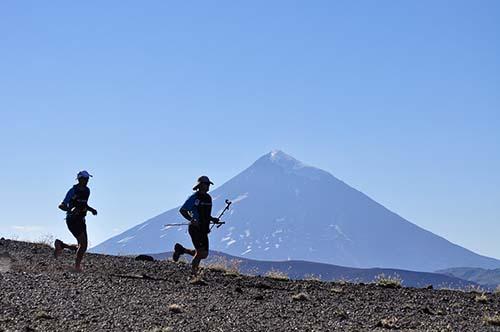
(284, 209)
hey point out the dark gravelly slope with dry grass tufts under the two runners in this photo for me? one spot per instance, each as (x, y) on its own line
(39, 293)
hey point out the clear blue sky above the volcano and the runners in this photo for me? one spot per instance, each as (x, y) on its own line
(400, 99)
